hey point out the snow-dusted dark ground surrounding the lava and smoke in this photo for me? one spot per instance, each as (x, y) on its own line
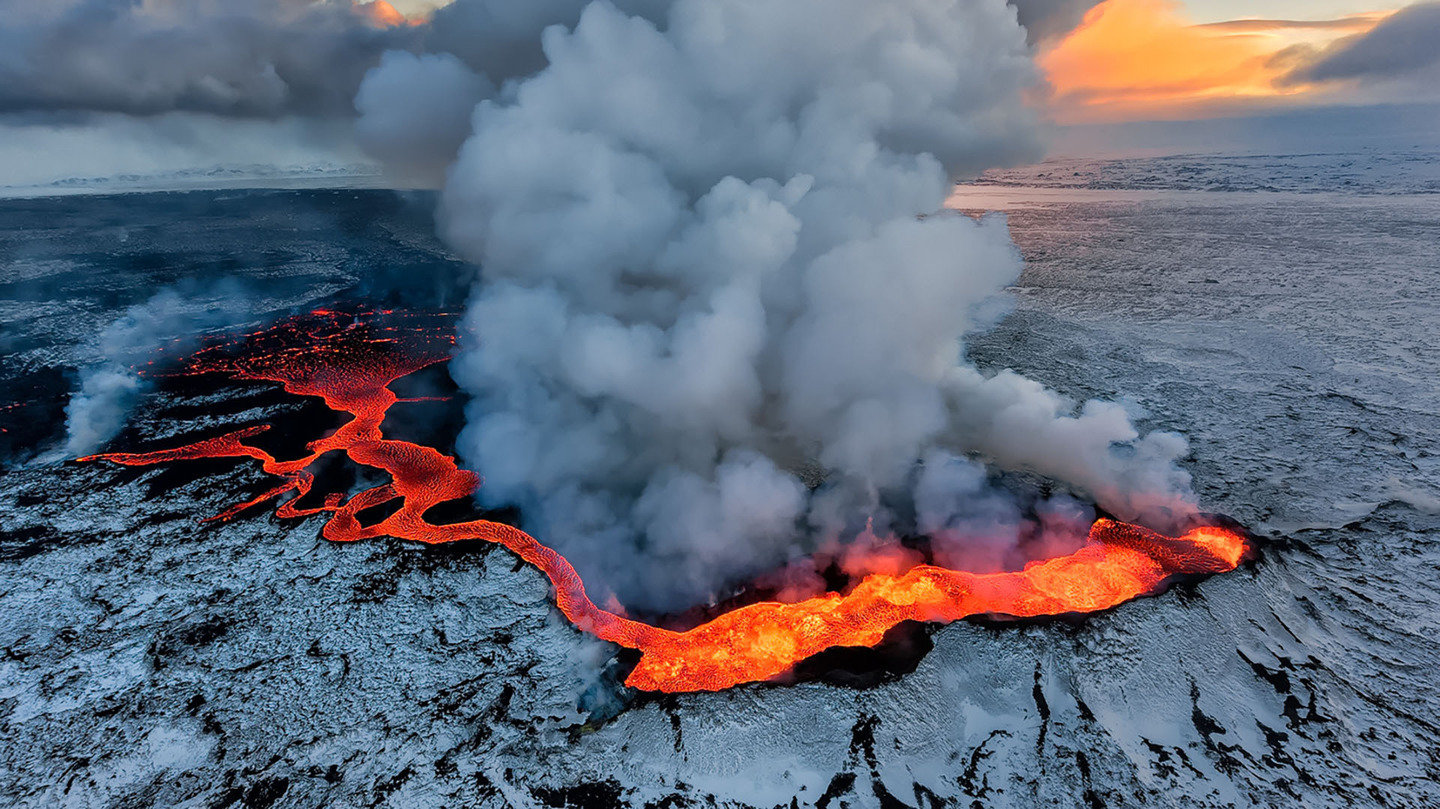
(146, 661)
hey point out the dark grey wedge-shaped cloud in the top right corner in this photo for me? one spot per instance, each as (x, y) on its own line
(1402, 47)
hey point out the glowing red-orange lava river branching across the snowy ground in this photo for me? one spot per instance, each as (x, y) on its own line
(352, 362)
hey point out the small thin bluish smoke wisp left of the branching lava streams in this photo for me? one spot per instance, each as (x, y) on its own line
(110, 388)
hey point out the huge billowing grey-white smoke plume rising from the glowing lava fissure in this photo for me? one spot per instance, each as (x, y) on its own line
(722, 312)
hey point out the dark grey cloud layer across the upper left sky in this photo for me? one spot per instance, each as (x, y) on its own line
(240, 58)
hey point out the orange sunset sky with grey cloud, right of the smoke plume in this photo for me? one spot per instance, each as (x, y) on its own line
(1171, 60)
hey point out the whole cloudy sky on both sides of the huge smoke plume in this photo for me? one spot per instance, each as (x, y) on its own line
(93, 89)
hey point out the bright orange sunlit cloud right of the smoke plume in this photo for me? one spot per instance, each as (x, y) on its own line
(1134, 60)
